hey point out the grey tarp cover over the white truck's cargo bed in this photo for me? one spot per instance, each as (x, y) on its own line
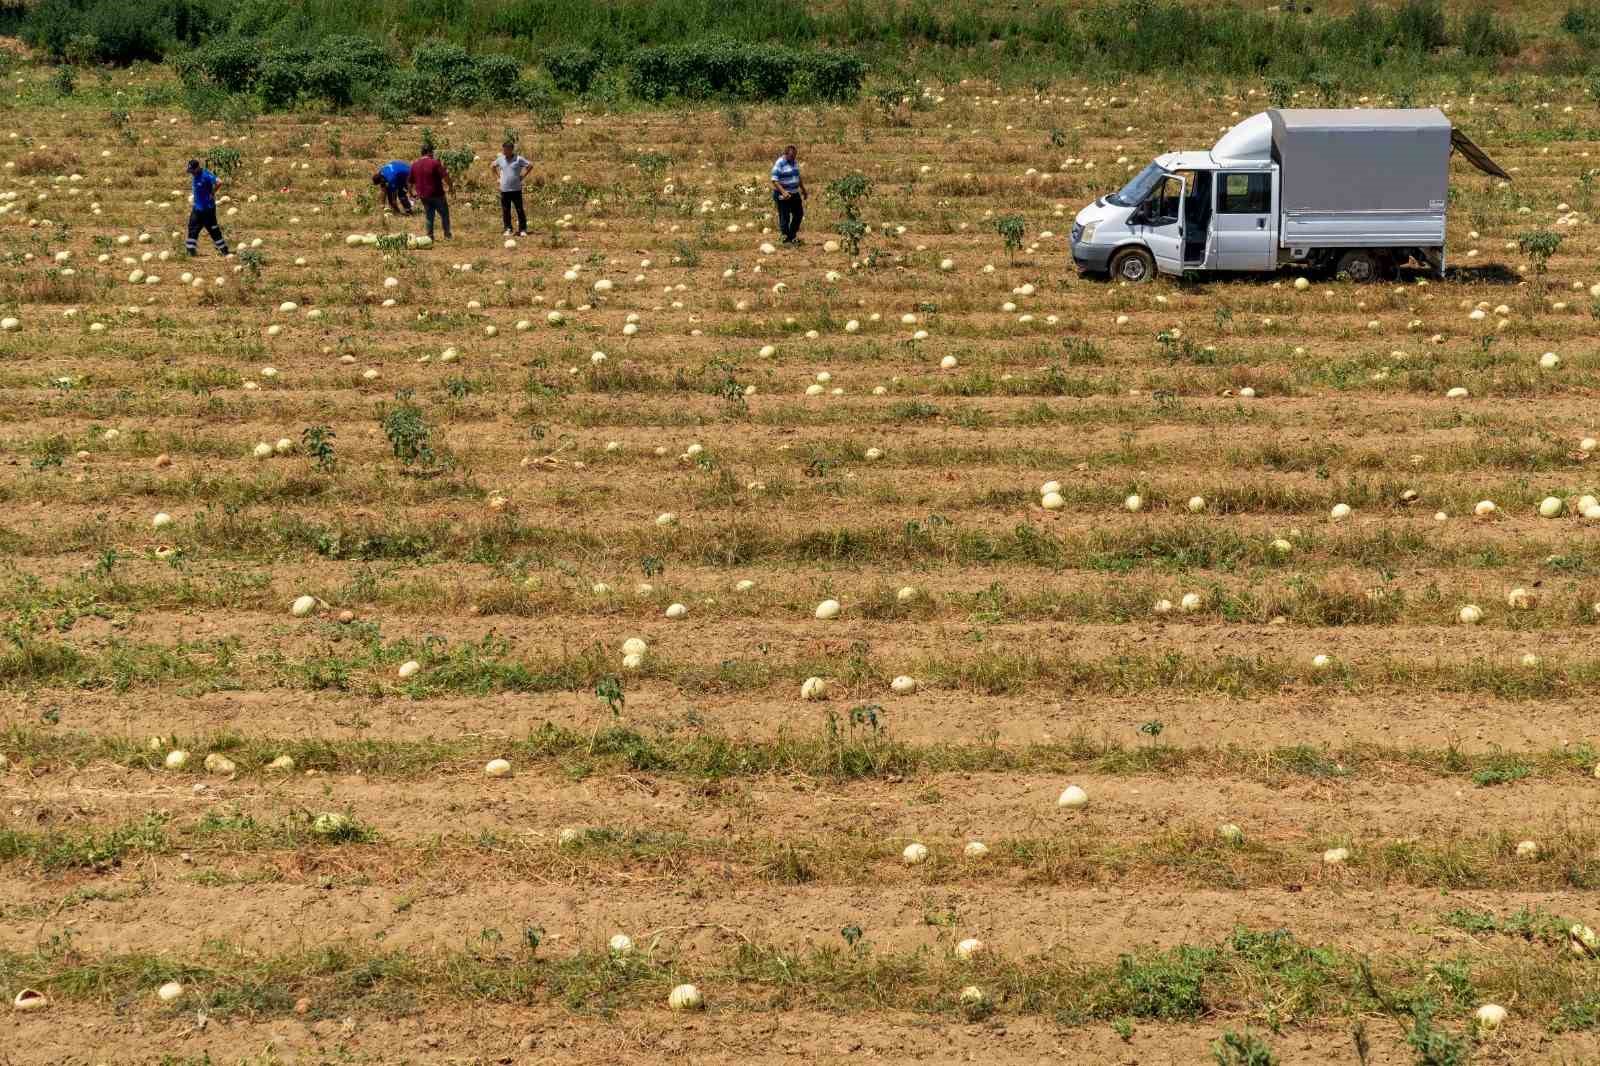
(1362, 159)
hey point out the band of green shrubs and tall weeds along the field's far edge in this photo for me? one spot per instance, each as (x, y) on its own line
(287, 50)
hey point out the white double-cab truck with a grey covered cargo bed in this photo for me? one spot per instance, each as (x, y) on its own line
(1356, 191)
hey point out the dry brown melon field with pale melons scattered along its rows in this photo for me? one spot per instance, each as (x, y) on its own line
(1202, 759)
